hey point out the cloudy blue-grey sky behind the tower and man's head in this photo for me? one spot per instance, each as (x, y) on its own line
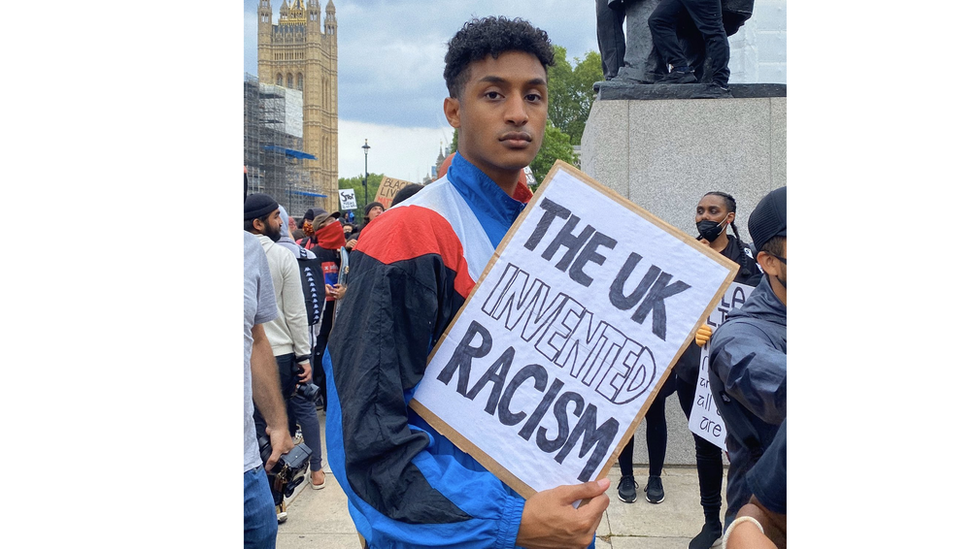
(391, 61)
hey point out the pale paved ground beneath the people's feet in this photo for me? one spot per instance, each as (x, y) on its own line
(320, 518)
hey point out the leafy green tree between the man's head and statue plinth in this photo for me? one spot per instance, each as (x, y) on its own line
(571, 91)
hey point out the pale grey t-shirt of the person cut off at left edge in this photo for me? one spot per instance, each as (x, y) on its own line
(259, 307)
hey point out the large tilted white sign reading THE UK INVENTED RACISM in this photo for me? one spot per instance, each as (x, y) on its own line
(546, 370)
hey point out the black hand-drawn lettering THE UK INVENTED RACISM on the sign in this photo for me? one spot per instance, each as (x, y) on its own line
(564, 333)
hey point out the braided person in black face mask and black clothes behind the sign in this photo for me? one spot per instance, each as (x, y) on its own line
(714, 214)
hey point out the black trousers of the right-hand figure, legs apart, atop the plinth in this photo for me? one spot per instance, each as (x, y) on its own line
(707, 17)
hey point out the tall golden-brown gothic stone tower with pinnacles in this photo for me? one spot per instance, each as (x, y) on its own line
(299, 53)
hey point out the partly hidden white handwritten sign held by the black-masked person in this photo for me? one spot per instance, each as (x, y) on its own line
(704, 420)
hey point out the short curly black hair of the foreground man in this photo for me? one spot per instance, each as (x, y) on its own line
(493, 36)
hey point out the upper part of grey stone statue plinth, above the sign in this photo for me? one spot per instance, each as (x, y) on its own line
(664, 153)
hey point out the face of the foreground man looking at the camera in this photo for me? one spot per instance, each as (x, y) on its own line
(501, 114)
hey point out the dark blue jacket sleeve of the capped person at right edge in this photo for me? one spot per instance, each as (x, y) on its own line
(752, 368)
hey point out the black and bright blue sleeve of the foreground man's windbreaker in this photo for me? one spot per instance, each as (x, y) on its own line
(407, 485)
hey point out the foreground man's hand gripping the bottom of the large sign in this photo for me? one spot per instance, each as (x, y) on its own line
(550, 521)
